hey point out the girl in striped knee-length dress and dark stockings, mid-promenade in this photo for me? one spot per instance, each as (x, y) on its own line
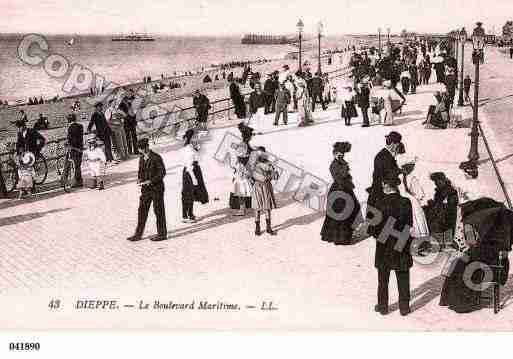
(263, 200)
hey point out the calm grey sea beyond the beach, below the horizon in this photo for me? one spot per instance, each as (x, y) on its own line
(129, 62)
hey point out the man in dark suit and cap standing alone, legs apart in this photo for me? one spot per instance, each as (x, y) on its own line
(151, 179)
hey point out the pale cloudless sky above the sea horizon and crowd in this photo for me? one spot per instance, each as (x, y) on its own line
(231, 17)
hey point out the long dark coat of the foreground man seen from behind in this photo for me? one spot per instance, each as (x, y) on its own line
(388, 256)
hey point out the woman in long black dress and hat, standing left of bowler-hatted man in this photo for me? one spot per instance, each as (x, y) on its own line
(342, 208)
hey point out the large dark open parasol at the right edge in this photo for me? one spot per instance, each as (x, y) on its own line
(491, 219)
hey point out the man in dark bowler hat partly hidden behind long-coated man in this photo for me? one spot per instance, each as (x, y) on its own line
(384, 165)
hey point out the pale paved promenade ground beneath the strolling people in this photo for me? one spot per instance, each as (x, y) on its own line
(72, 246)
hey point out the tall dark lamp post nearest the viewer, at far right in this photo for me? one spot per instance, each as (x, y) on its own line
(478, 37)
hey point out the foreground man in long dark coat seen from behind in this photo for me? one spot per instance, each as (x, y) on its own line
(393, 245)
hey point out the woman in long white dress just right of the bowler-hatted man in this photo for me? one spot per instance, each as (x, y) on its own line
(411, 189)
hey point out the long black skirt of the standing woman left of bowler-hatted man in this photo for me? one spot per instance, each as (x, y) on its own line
(340, 230)
